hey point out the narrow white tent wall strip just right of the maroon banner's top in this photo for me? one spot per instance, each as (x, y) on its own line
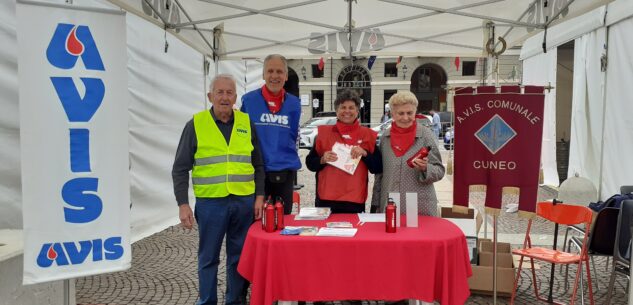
(540, 70)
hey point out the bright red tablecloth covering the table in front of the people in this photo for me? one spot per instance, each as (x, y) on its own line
(426, 263)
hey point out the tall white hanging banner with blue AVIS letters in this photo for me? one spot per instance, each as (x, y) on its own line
(74, 141)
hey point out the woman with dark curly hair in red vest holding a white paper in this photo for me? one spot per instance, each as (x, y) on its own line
(337, 189)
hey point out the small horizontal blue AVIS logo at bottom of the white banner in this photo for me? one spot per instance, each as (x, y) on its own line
(76, 252)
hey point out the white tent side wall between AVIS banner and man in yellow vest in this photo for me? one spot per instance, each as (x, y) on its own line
(166, 90)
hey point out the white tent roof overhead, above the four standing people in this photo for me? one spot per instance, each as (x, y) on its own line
(302, 29)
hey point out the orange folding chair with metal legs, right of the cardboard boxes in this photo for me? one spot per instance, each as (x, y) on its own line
(561, 214)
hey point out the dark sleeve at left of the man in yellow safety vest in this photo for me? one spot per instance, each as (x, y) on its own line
(183, 163)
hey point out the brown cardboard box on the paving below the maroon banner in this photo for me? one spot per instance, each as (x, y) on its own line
(481, 281)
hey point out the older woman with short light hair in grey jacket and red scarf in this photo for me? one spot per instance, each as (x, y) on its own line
(403, 140)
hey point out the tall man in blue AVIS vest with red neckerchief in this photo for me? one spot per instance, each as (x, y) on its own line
(275, 114)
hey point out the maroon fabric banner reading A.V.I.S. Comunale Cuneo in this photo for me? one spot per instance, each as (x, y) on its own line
(498, 143)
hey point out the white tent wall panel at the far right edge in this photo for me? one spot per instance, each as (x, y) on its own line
(617, 163)
